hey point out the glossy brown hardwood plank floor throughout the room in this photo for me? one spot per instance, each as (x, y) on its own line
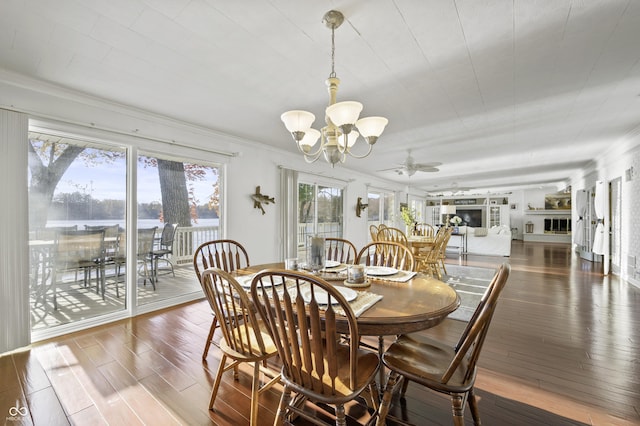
(563, 349)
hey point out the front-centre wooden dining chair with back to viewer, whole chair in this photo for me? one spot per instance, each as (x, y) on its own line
(316, 364)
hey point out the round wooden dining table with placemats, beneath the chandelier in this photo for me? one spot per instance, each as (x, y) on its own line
(401, 305)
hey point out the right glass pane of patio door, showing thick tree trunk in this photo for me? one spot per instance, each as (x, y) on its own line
(180, 194)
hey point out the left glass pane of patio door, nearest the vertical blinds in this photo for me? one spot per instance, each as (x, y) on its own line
(77, 200)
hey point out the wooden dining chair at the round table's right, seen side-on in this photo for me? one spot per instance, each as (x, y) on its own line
(439, 366)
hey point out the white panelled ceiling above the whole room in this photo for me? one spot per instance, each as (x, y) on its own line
(505, 94)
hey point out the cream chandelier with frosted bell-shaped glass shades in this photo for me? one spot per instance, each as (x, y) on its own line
(342, 124)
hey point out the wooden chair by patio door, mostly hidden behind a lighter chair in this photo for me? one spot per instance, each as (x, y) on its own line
(224, 254)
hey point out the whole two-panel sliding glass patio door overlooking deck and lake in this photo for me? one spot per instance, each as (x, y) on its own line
(86, 259)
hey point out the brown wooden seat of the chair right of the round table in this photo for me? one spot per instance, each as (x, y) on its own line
(425, 361)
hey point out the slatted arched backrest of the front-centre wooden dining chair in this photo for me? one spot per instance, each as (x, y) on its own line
(305, 327)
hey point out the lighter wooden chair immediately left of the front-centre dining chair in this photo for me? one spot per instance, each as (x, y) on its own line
(245, 337)
